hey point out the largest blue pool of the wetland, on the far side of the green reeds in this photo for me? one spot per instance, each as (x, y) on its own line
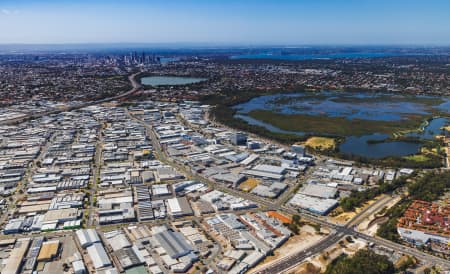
(351, 105)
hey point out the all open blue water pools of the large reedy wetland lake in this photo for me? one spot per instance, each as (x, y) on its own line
(354, 105)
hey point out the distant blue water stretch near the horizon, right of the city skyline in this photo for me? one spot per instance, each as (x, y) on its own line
(298, 57)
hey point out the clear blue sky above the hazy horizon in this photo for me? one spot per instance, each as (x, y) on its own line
(226, 22)
